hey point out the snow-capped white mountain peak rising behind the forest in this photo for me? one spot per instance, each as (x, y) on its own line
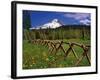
(55, 23)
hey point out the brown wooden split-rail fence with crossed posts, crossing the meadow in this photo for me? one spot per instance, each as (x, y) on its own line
(55, 46)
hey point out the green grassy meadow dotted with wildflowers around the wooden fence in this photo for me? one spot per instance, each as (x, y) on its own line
(38, 56)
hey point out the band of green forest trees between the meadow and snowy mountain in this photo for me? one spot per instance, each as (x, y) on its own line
(63, 32)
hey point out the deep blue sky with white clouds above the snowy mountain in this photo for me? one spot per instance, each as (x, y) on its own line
(39, 18)
